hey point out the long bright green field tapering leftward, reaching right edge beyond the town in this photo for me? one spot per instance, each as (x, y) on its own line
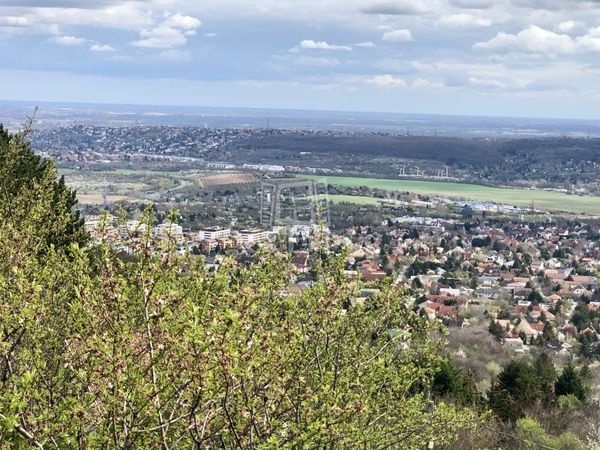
(548, 200)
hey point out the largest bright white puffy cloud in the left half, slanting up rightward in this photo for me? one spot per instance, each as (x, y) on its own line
(171, 33)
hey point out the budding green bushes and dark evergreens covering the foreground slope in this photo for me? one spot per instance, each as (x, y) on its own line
(153, 350)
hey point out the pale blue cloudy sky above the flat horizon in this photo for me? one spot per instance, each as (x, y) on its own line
(535, 58)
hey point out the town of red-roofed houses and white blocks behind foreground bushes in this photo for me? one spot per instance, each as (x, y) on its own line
(527, 284)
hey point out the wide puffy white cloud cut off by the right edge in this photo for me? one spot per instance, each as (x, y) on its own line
(538, 40)
